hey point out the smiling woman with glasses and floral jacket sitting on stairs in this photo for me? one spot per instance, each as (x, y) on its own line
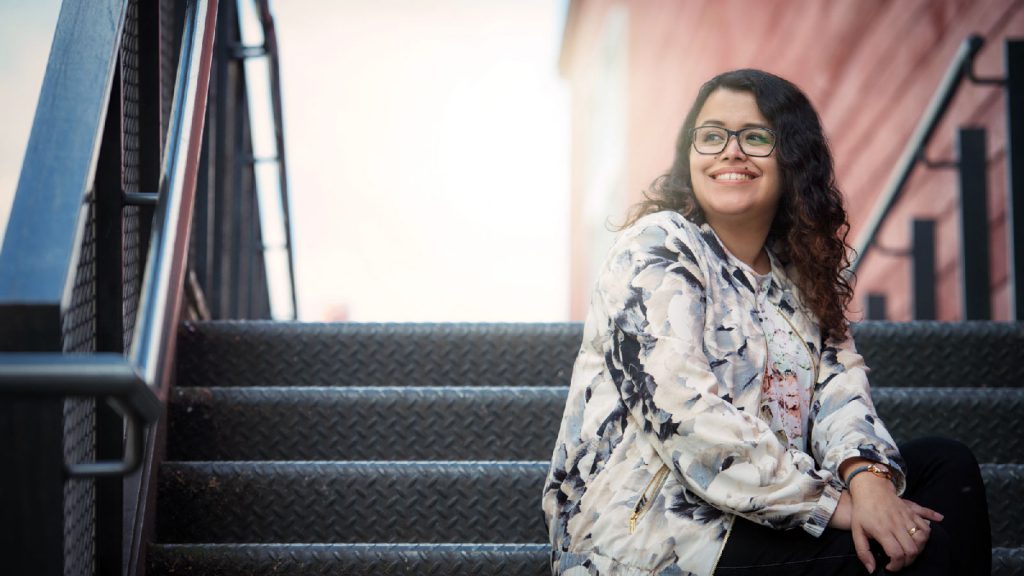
(718, 403)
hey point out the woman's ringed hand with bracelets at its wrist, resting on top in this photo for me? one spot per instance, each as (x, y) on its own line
(902, 527)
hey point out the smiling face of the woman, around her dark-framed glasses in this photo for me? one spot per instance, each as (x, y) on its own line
(732, 187)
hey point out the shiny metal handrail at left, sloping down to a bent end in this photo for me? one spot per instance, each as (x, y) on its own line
(137, 386)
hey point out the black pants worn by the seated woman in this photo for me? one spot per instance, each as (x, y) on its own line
(943, 475)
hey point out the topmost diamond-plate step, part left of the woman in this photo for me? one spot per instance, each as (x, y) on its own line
(247, 354)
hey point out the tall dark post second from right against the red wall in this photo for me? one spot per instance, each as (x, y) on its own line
(975, 283)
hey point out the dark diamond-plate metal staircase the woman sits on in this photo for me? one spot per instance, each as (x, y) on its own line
(422, 449)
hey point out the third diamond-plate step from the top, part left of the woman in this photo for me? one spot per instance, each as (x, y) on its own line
(338, 503)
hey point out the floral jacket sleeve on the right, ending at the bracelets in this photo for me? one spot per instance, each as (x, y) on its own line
(844, 424)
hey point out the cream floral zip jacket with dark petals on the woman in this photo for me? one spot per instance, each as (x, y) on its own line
(661, 445)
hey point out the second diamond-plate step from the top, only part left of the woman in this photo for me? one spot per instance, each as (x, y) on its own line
(332, 424)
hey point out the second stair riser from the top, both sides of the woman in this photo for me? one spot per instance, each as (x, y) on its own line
(502, 424)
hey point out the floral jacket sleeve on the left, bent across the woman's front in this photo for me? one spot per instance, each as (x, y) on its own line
(653, 292)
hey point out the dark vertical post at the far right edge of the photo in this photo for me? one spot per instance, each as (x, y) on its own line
(1015, 173)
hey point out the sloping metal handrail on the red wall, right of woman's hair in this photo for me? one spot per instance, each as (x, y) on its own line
(960, 68)
